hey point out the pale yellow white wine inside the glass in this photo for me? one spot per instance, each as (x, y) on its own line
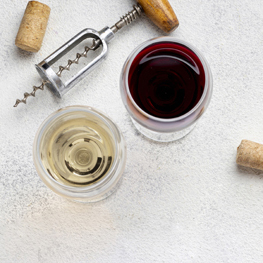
(78, 150)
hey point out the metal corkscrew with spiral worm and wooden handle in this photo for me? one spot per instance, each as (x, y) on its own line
(159, 11)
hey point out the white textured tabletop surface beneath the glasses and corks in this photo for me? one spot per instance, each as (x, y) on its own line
(185, 201)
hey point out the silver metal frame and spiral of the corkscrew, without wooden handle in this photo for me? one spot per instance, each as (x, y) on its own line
(53, 81)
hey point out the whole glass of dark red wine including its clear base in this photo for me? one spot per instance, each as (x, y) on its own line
(166, 85)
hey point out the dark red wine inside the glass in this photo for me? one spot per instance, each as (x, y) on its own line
(166, 79)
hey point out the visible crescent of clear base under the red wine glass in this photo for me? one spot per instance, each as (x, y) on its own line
(162, 136)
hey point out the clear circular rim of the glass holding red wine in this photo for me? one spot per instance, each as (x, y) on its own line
(166, 39)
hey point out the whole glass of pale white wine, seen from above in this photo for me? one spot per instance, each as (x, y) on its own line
(80, 154)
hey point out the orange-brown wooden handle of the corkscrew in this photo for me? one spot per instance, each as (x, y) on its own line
(161, 13)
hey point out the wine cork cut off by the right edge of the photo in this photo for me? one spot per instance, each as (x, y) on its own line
(250, 154)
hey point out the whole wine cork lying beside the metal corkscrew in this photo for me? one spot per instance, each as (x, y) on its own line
(33, 26)
